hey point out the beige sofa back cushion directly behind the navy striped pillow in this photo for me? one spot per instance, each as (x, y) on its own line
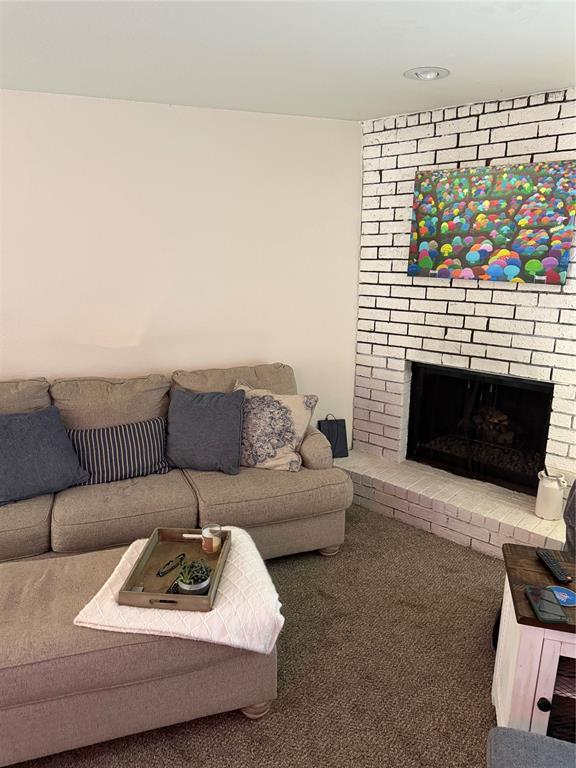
(99, 402)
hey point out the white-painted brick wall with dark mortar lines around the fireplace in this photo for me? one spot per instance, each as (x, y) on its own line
(513, 329)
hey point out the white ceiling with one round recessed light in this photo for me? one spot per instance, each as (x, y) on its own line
(325, 59)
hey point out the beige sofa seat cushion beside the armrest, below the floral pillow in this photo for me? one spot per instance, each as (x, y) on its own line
(261, 496)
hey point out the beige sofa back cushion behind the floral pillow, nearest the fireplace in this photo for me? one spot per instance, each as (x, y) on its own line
(276, 377)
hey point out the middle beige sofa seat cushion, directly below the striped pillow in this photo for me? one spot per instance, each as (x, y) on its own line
(95, 516)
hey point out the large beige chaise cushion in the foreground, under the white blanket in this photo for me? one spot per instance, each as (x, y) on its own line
(43, 655)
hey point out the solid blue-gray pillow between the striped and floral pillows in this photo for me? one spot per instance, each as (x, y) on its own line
(205, 430)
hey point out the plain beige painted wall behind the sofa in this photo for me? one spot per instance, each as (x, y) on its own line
(144, 237)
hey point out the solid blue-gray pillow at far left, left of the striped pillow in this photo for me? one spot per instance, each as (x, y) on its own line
(36, 456)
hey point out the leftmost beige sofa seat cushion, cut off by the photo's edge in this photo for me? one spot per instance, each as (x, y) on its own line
(25, 527)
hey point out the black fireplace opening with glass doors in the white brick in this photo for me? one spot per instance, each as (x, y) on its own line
(488, 427)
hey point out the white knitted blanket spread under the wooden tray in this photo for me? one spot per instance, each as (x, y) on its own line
(246, 611)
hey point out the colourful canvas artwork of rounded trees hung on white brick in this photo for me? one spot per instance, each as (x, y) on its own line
(513, 224)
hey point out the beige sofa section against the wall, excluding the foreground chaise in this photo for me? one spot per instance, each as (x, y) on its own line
(285, 512)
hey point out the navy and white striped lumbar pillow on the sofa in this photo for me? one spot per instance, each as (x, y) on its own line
(118, 453)
